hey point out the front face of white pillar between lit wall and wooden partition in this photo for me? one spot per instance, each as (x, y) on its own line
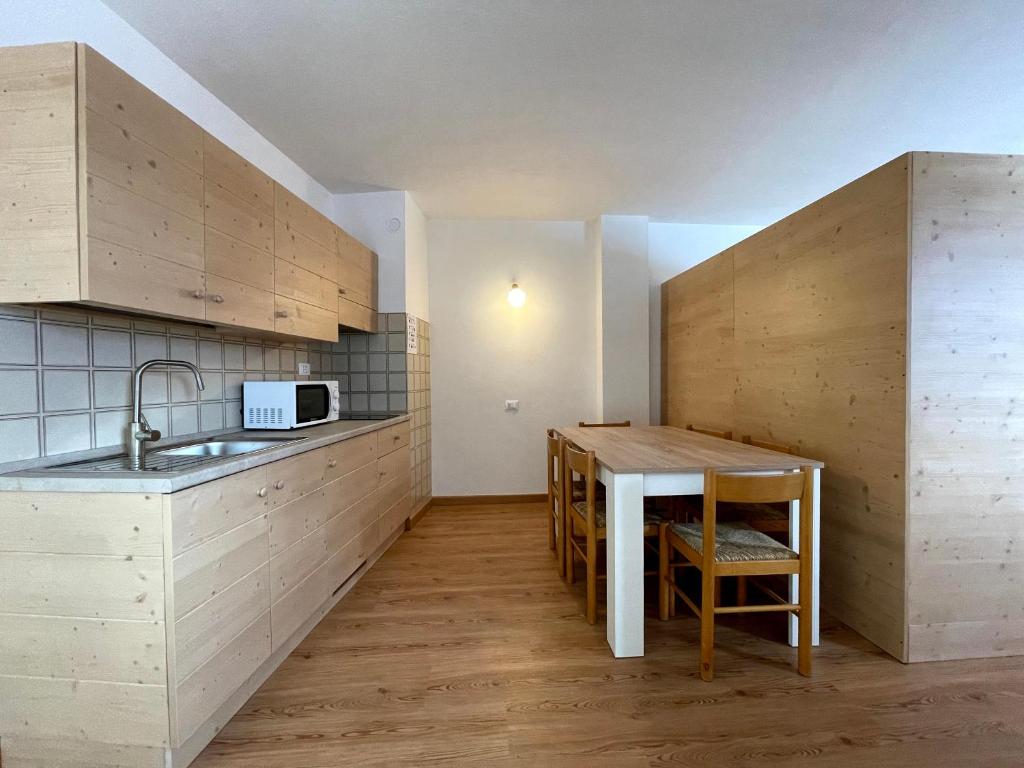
(625, 368)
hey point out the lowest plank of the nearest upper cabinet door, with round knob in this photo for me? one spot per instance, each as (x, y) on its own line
(123, 278)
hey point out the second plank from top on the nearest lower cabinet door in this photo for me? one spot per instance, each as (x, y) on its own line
(203, 572)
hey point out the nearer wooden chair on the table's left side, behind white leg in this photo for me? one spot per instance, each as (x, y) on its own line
(586, 525)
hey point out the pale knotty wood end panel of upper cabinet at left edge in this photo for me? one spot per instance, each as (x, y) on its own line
(39, 184)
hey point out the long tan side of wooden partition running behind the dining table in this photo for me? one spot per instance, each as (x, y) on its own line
(814, 355)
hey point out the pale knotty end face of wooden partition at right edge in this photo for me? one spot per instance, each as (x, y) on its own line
(966, 461)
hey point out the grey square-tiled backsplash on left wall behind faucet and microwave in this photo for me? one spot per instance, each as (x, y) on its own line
(66, 378)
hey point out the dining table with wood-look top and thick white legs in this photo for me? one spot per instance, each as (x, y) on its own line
(634, 462)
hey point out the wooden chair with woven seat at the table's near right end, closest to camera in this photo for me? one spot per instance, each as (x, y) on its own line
(735, 549)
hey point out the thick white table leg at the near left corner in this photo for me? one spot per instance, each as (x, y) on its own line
(625, 513)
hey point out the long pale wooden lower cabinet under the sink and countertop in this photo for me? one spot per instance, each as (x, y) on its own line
(143, 622)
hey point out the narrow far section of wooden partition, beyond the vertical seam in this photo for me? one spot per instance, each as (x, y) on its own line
(699, 366)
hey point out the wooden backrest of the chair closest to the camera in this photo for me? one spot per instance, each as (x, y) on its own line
(756, 490)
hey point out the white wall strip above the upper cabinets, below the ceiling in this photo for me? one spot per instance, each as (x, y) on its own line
(30, 22)
